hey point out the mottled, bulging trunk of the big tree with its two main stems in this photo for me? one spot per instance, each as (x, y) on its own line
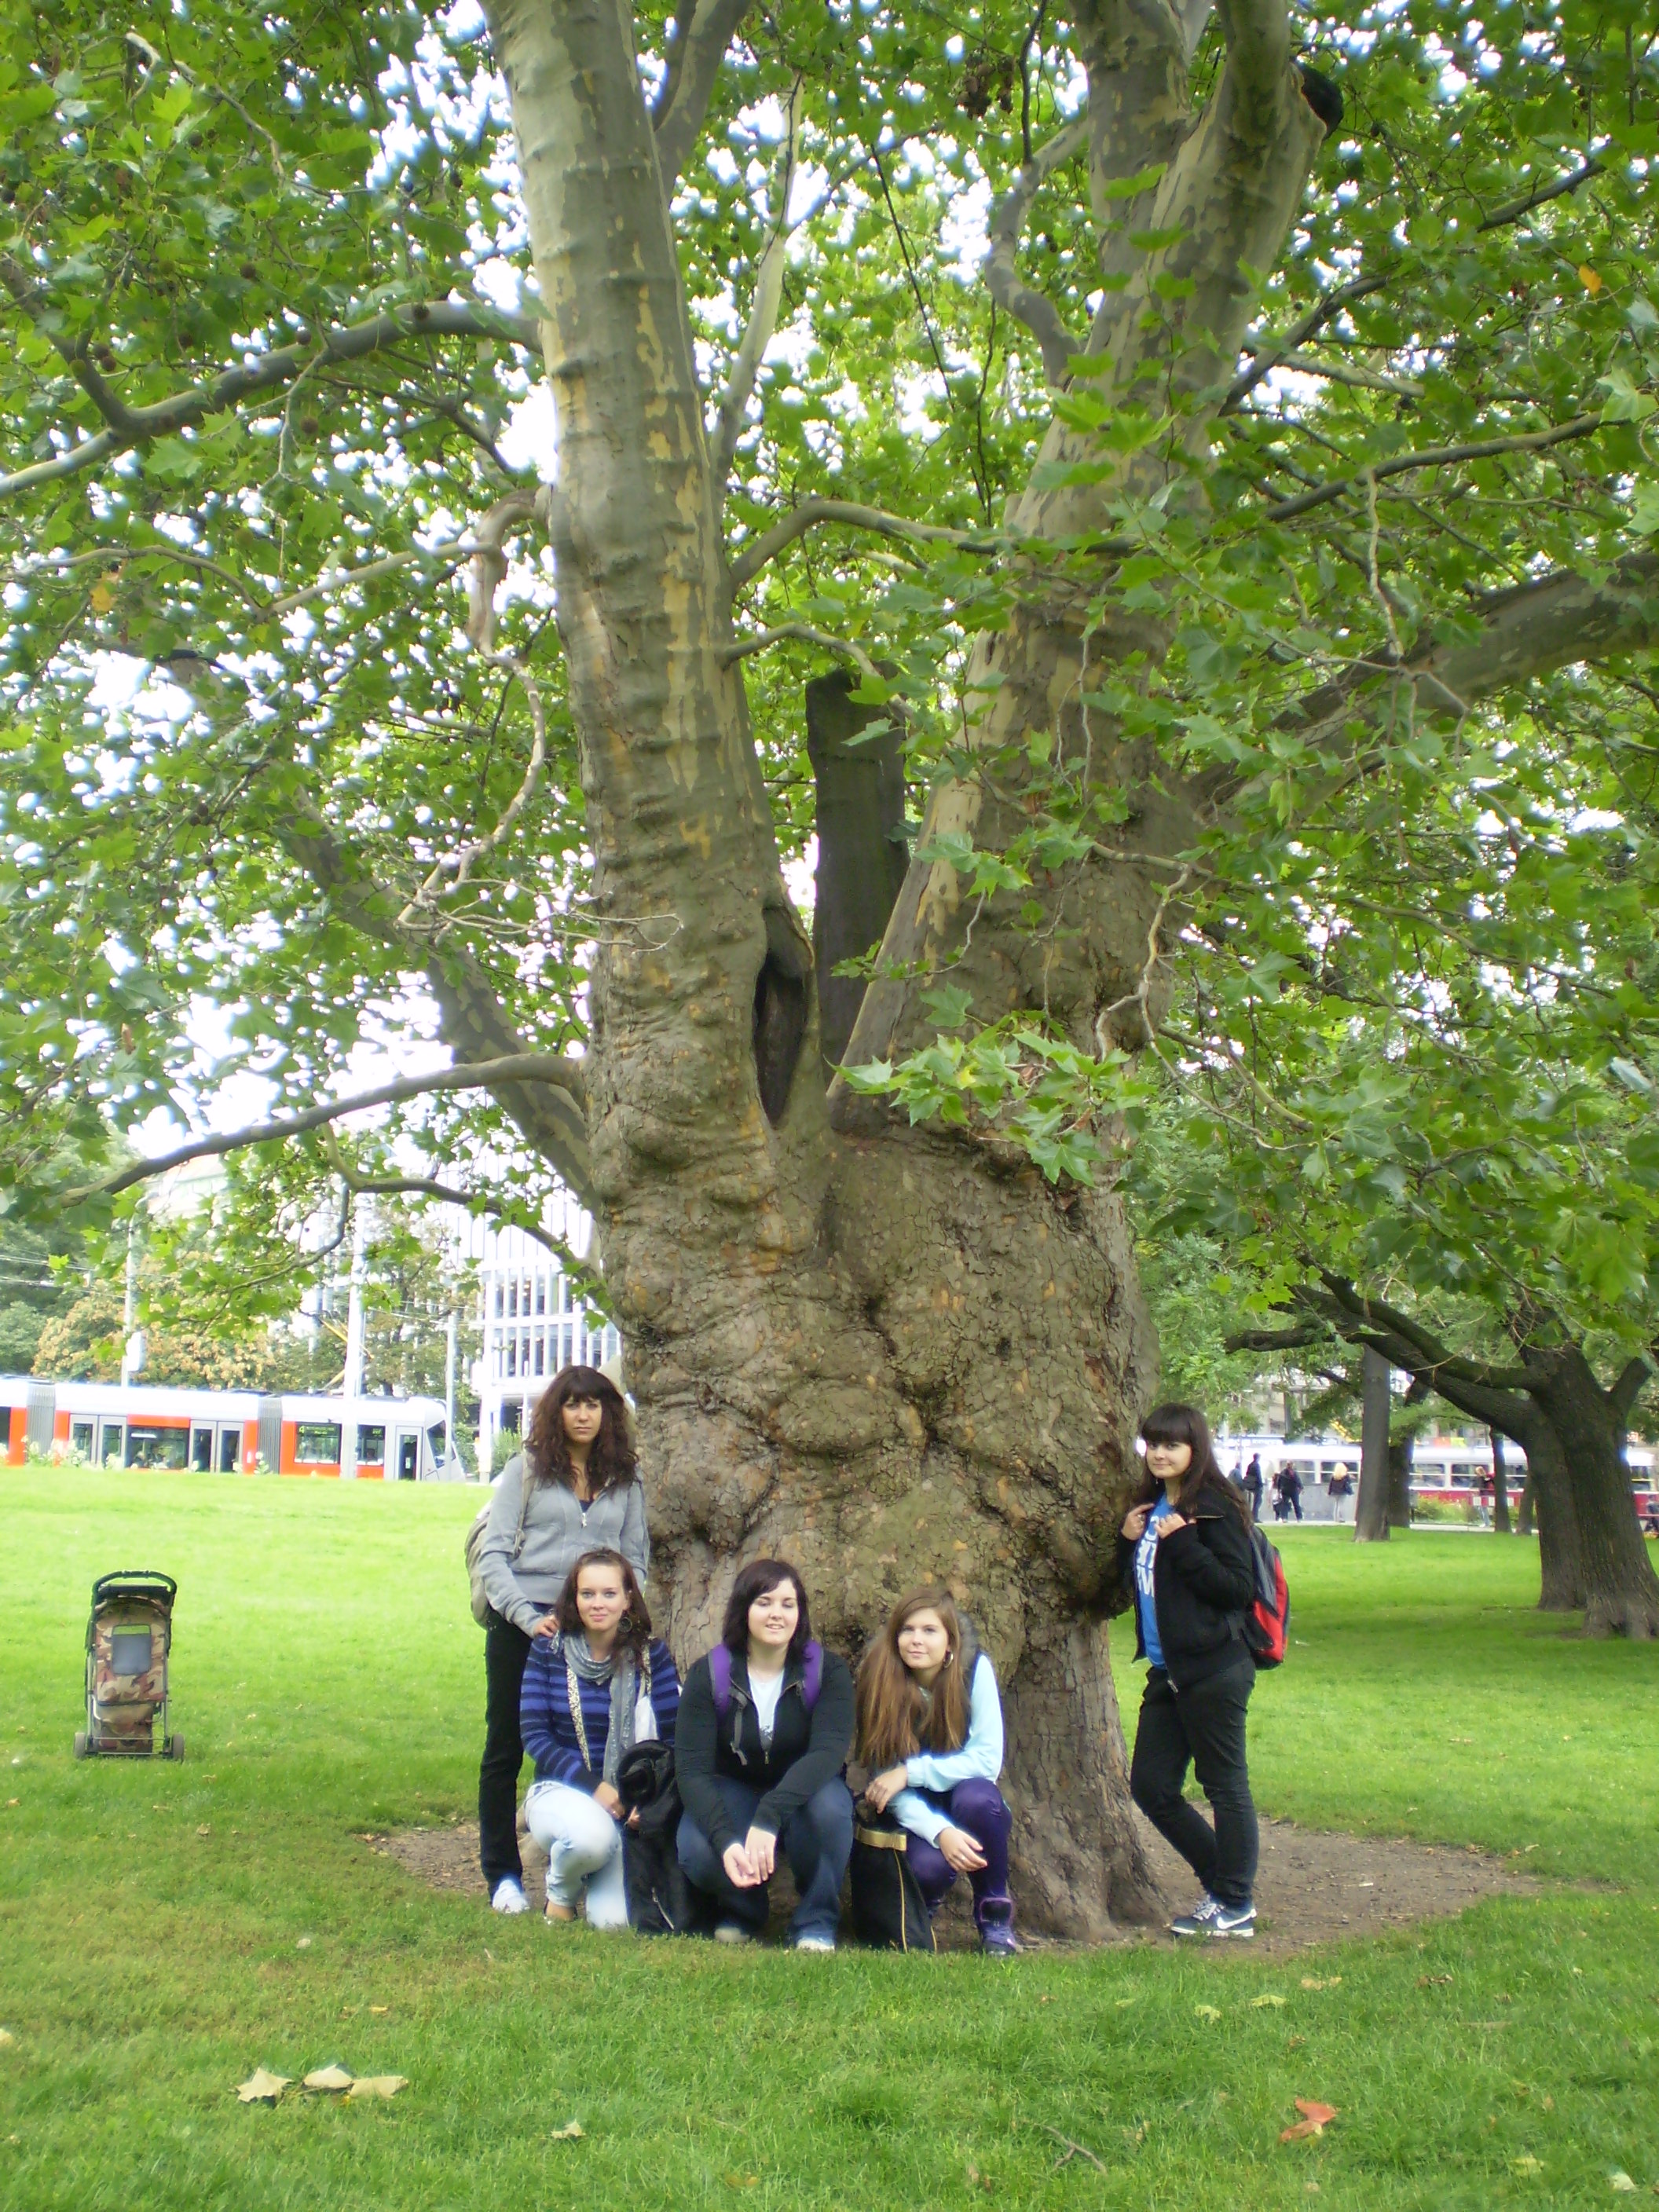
(881, 1353)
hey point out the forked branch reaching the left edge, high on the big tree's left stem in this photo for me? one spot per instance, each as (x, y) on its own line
(258, 375)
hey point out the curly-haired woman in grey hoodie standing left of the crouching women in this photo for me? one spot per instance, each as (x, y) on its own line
(574, 1488)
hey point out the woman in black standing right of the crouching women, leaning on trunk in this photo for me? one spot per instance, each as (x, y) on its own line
(1185, 1558)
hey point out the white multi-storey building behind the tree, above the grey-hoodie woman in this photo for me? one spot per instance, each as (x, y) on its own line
(532, 1319)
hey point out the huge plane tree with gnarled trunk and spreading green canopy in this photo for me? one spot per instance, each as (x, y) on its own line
(1147, 426)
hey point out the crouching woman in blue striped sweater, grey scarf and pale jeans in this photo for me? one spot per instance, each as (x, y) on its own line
(592, 1691)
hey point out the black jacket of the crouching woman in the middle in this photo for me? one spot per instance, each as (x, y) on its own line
(808, 1749)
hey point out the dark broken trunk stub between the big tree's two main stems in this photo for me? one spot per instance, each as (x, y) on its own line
(862, 848)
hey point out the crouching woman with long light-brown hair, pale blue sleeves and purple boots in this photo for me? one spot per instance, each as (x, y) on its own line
(930, 1731)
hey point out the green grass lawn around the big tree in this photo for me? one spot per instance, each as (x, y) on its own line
(169, 1928)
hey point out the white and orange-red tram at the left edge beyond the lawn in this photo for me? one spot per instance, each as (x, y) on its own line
(225, 1432)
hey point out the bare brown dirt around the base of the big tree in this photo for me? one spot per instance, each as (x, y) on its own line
(1313, 1886)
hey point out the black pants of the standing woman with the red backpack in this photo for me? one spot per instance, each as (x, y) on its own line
(1204, 1729)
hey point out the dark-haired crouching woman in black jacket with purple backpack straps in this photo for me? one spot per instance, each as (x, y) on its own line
(760, 1755)
